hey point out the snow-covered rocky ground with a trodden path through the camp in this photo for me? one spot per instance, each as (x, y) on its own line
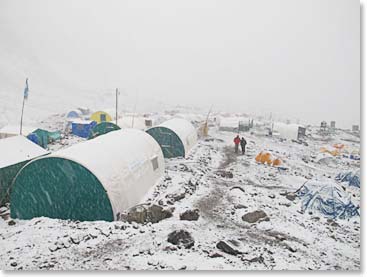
(222, 186)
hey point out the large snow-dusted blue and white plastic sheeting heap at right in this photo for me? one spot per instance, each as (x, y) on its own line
(328, 199)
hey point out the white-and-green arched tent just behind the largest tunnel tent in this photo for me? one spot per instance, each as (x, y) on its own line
(176, 137)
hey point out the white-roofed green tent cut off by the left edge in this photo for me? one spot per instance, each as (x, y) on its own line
(15, 153)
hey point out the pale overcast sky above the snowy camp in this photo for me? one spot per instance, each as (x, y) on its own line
(296, 58)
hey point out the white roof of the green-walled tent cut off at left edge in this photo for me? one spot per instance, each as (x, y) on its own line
(18, 149)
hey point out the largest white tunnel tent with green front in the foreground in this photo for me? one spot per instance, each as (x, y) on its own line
(98, 179)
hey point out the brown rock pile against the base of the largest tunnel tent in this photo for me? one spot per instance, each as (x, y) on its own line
(144, 213)
